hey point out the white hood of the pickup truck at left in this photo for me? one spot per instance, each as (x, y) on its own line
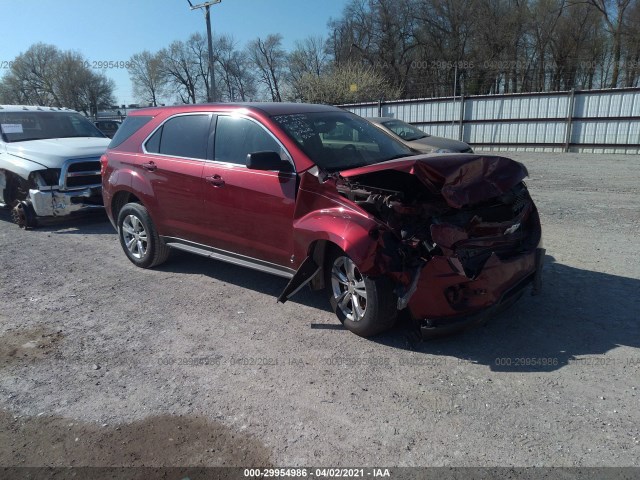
(51, 153)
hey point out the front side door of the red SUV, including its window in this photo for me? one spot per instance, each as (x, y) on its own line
(248, 212)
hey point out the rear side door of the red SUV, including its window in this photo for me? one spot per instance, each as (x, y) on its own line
(175, 155)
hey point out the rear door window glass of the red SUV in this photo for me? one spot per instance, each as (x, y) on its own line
(183, 136)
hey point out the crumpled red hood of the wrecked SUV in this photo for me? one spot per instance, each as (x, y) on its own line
(461, 179)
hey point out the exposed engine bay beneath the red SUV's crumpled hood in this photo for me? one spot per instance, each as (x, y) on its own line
(422, 225)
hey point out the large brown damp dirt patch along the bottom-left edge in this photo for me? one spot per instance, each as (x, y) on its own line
(159, 441)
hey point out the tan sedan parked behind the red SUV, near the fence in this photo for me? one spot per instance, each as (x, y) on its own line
(415, 138)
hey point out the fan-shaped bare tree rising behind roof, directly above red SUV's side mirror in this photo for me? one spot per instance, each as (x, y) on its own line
(269, 59)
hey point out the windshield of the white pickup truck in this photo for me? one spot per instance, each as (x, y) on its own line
(38, 125)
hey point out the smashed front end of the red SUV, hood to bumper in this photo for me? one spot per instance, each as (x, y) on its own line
(459, 235)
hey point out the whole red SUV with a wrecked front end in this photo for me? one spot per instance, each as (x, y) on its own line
(322, 197)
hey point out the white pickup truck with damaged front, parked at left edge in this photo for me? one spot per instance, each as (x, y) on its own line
(49, 162)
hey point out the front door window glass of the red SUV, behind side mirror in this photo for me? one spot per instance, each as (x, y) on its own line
(237, 137)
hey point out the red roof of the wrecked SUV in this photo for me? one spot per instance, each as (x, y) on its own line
(270, 108)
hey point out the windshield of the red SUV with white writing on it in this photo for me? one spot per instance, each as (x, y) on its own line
(340, 140)
